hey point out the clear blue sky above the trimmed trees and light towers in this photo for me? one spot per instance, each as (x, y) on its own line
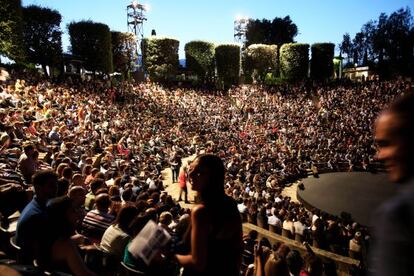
(185, 20)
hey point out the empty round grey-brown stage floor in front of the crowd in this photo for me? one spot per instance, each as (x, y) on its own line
(357, 193)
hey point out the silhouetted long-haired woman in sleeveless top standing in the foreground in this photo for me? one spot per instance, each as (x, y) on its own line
(216, 234)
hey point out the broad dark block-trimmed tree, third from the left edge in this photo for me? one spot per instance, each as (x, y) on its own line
(92, 42)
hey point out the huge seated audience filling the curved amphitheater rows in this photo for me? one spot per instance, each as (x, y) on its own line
(107, 155)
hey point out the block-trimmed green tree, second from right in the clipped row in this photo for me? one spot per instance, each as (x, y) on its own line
(294, 61)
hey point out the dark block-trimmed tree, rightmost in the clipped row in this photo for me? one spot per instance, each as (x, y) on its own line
(322, 60)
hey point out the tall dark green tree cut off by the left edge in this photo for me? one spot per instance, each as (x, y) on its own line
(11, 39)
